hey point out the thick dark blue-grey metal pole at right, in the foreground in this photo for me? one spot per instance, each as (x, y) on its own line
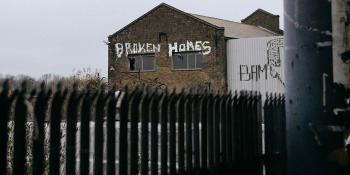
(308, 50)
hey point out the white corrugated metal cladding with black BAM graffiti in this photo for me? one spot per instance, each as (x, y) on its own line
(256, 64)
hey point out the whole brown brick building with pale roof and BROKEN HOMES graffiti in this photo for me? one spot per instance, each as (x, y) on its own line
(167, 47)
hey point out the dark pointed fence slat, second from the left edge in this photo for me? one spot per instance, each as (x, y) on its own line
(21, 112)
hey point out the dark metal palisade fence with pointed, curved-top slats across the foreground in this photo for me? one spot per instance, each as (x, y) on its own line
(159, 132)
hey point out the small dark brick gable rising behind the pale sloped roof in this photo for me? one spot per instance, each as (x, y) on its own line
(268, 21)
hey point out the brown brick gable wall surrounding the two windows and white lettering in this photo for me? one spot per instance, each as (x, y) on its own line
(179, 28)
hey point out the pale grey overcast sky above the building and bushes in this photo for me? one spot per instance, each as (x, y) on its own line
(59, 36)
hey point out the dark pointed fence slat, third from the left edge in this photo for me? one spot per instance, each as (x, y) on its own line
(40, 111)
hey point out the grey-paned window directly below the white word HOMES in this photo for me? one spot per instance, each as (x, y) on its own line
(187, 61)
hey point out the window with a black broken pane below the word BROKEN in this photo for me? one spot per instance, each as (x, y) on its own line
(141, 63)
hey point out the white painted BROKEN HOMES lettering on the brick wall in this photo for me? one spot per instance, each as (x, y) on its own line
(138, 48)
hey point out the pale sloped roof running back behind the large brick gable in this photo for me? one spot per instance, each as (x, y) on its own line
(237, 30)
